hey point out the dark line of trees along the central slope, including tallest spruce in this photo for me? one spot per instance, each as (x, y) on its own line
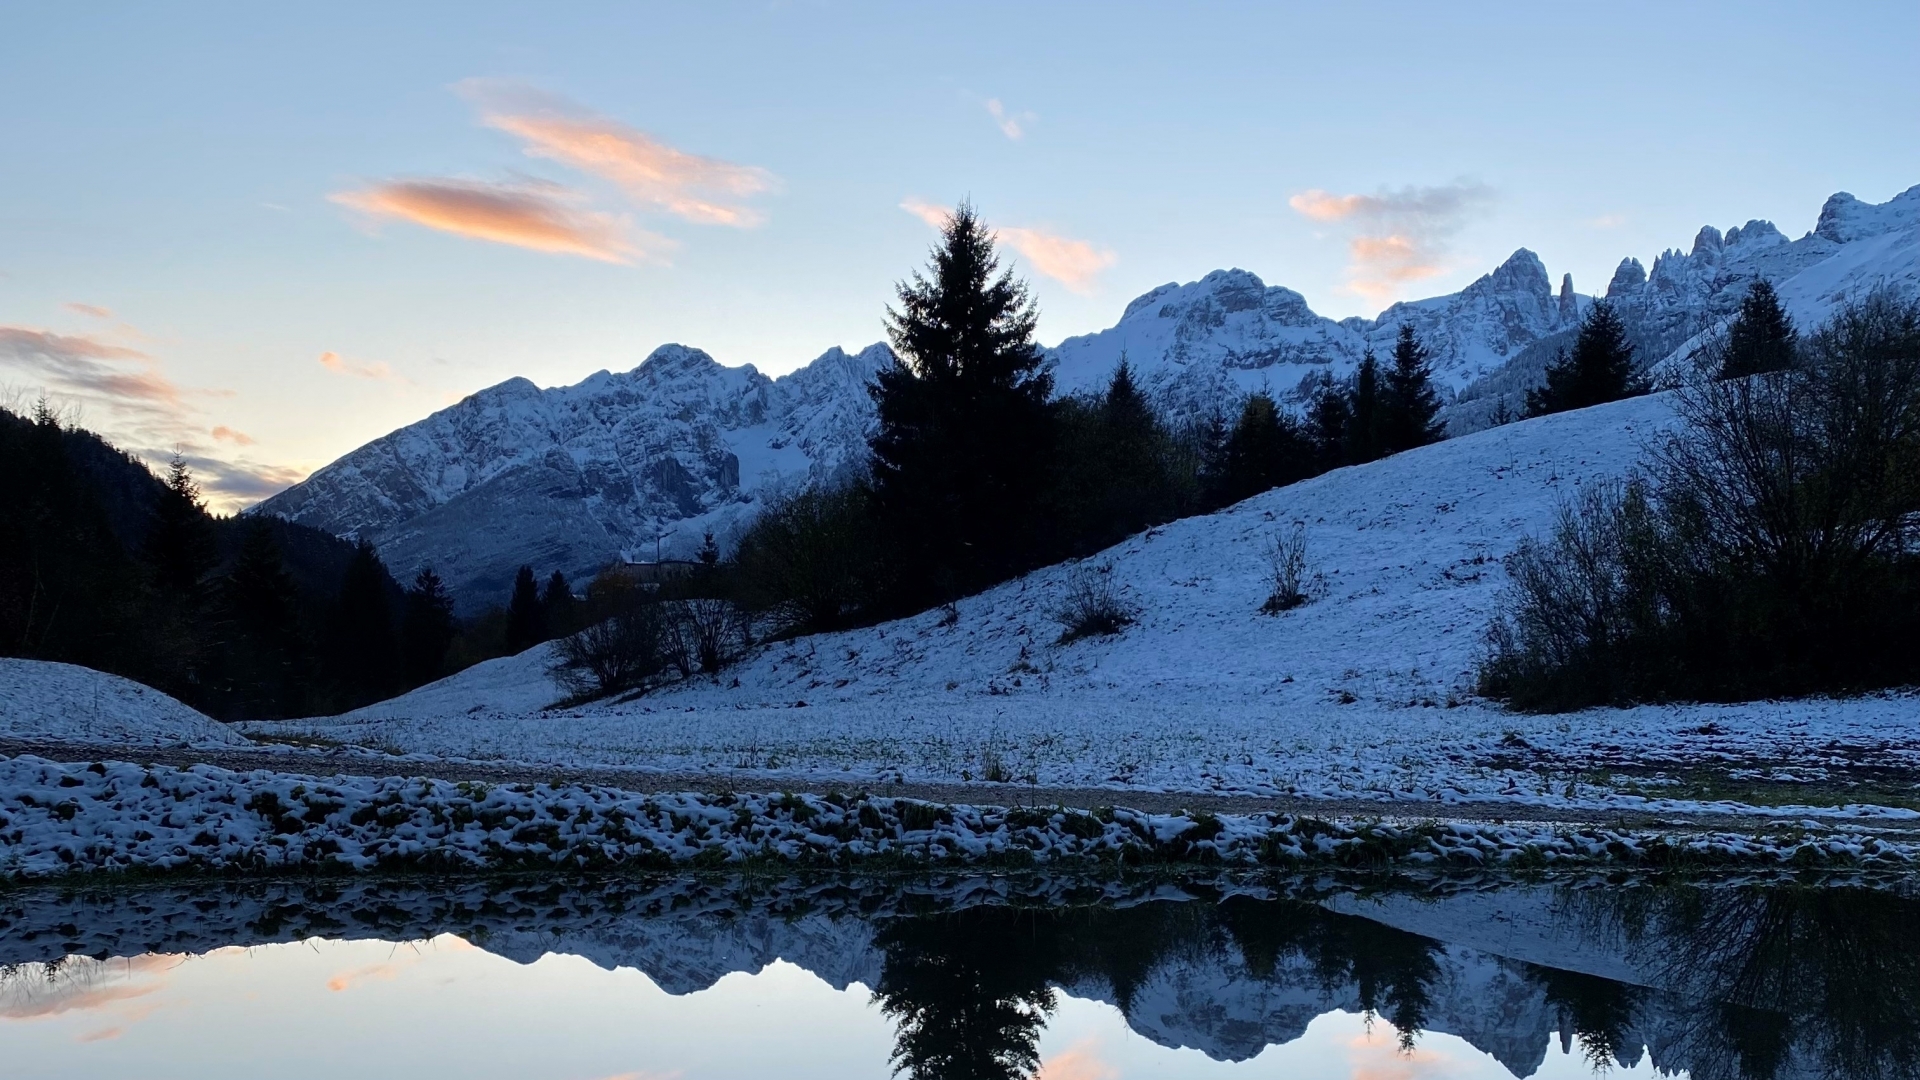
(978, 472)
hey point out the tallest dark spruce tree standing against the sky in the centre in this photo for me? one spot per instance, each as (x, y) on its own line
(967, 435)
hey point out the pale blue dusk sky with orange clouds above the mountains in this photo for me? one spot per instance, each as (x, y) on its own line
(266, 235)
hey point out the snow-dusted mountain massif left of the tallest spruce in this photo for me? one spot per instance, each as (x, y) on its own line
(573, 478)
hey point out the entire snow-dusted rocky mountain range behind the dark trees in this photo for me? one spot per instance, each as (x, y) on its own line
(652, 460)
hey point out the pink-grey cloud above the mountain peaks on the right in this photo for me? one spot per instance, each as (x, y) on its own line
(1403, 237)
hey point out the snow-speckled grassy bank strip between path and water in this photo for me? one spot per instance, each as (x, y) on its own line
(60, 820)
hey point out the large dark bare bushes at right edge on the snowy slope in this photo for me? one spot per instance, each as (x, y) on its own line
(1771, 551)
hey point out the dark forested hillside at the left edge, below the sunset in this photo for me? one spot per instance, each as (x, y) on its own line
(245, 618)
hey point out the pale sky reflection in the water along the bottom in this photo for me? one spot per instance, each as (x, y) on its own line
(444, 1008)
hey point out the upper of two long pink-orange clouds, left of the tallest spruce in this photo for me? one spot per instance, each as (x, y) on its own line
(650, 172)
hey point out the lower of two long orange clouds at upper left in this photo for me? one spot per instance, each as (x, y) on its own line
(525, 214)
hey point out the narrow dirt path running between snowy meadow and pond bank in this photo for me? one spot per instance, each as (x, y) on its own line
(337, 764)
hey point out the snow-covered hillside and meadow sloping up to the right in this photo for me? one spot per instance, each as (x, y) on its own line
(1364, 693)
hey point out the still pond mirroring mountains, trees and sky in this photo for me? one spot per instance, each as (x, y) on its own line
(961, 979)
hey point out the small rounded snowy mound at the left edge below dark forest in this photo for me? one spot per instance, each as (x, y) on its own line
(60, 702)
